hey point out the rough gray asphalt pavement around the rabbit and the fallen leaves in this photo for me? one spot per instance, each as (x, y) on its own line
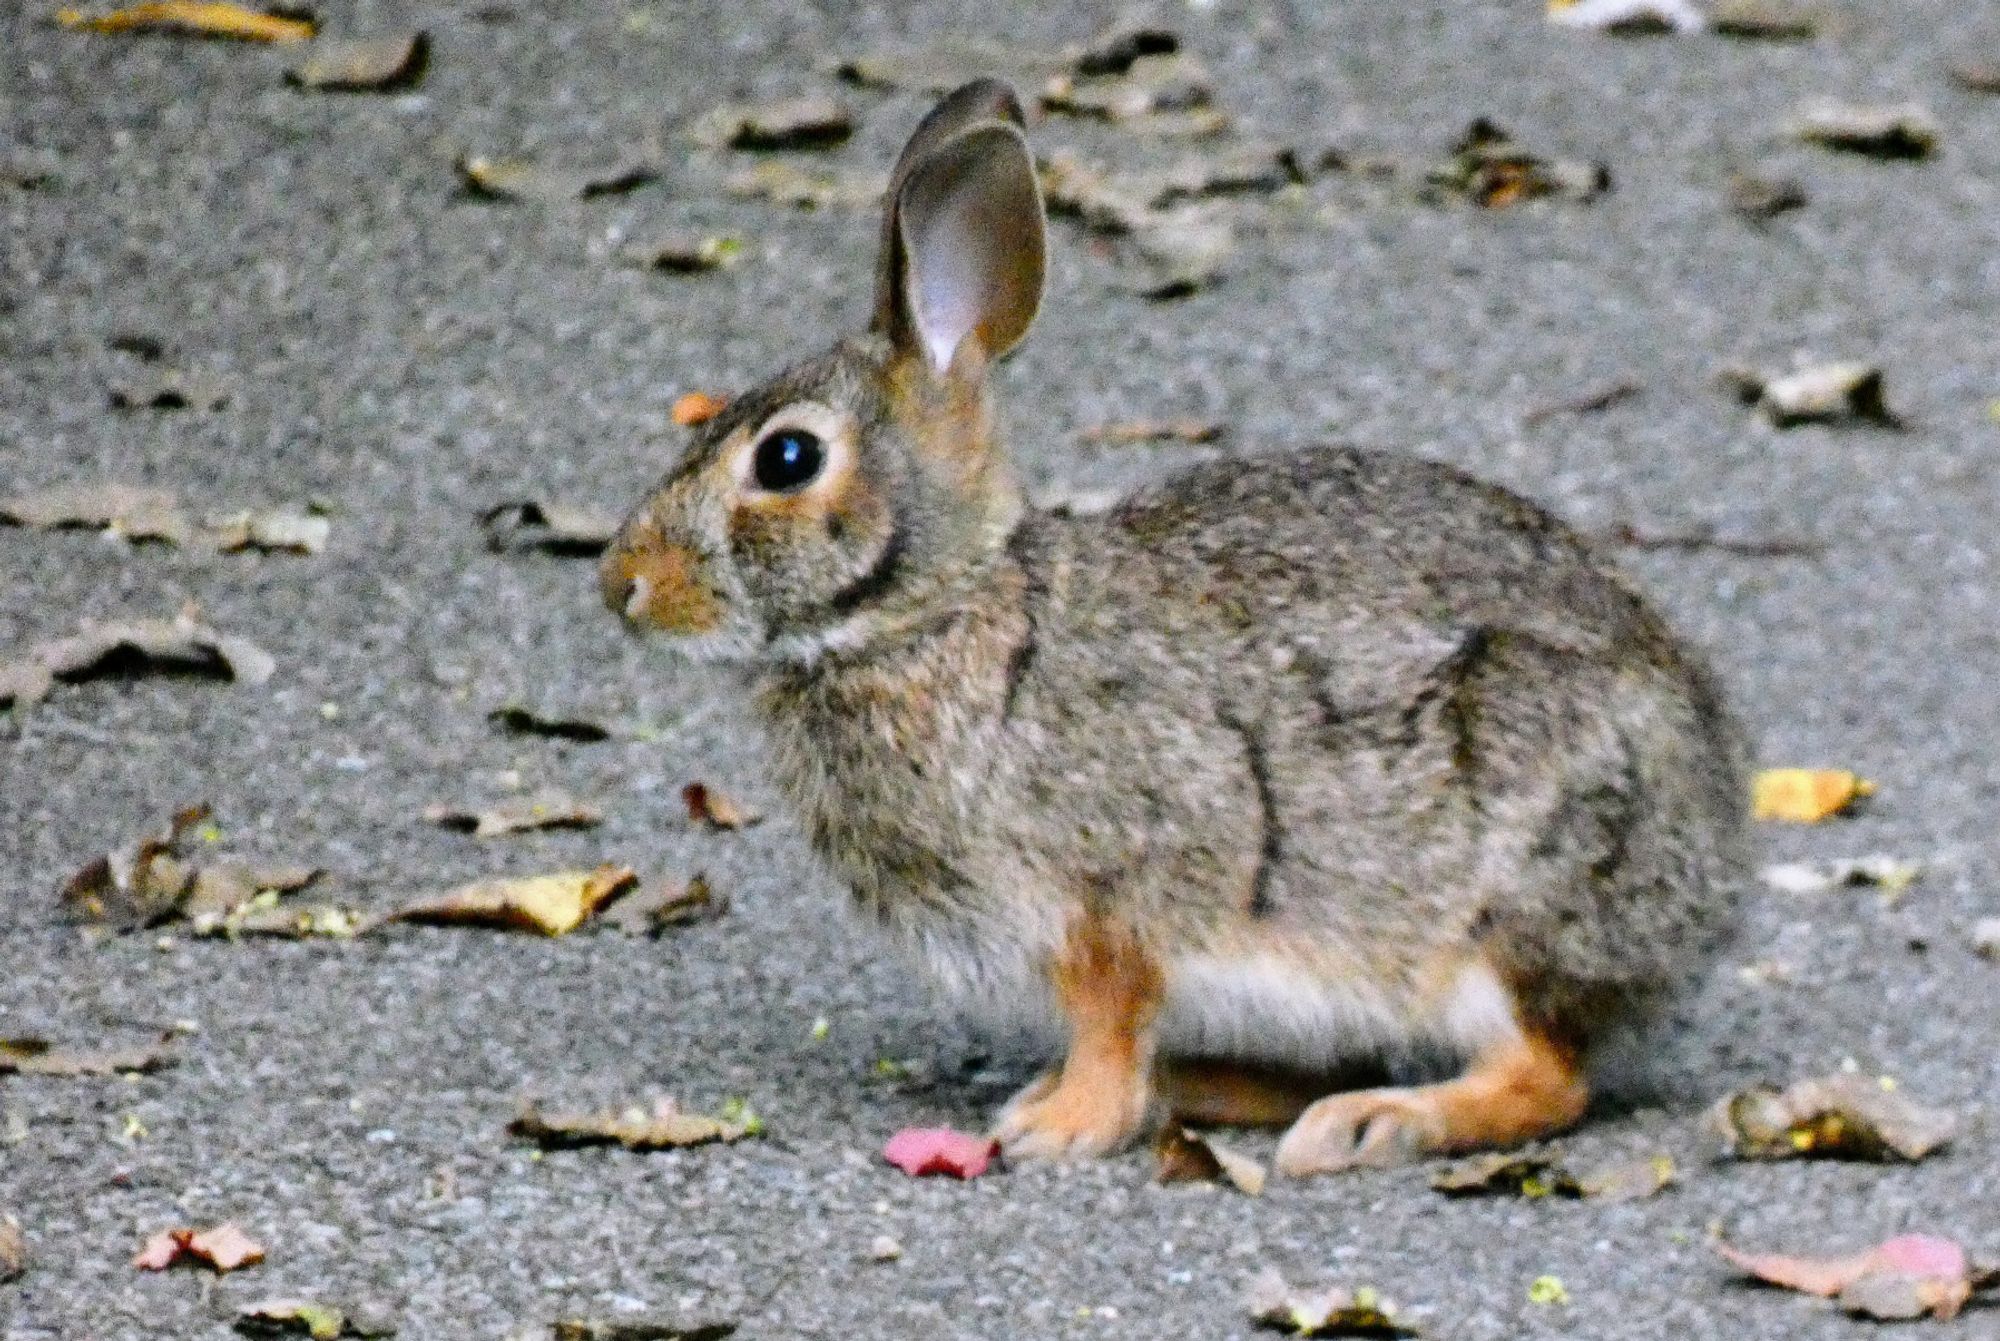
(411, 359)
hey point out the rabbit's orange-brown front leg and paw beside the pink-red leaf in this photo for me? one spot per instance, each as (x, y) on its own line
(1109, 990)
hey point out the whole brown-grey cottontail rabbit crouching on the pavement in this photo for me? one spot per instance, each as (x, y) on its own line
(1281, 764)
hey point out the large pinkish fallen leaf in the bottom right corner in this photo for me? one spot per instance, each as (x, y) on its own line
(1907, 1278)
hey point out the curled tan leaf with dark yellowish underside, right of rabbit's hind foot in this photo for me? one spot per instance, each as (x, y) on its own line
(1833, 1118)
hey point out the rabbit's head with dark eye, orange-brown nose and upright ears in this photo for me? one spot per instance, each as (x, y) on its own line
(859, 493)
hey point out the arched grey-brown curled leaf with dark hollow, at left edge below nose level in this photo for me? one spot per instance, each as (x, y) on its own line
(181, 645)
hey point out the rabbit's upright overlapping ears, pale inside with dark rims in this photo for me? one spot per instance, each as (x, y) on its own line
(965, 247)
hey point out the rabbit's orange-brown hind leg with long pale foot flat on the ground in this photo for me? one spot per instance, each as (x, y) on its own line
(1515, 1092)
